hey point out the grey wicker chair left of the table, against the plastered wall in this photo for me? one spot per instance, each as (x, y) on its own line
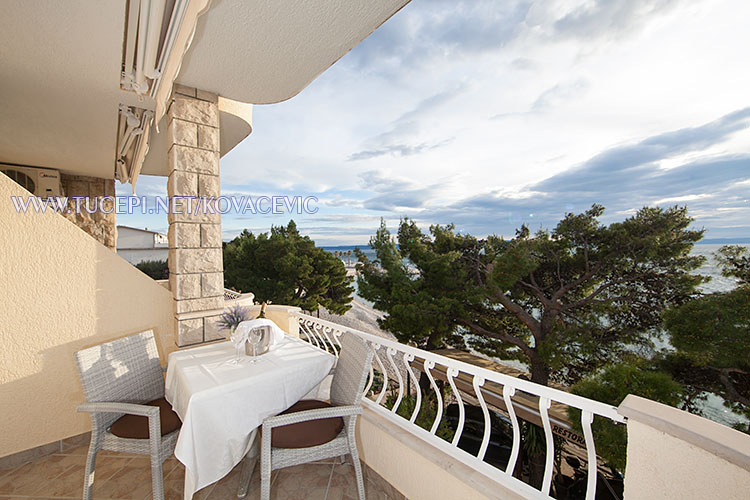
(118, 378)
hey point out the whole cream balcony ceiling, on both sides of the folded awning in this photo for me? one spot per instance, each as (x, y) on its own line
(60, 64)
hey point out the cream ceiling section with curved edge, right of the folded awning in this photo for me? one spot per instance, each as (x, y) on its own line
(266, 51)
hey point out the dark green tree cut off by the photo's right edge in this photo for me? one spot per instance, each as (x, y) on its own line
(712, 336)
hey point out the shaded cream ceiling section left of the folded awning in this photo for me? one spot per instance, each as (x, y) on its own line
(60, 83)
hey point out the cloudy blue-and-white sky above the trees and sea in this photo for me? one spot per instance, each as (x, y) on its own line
(491, 114)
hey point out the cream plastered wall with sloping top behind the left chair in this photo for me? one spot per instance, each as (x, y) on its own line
(61, 291)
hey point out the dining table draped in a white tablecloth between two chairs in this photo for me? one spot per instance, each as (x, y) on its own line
(221, 404)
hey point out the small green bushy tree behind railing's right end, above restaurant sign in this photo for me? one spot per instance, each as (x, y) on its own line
(611, 386)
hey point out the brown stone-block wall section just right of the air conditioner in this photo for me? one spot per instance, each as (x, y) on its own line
(100, 225)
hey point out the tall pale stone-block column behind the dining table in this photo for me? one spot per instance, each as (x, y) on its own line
(196, 271)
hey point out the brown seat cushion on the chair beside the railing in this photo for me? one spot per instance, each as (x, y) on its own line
(306, 434)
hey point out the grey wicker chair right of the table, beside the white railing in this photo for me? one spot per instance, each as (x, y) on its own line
(348, 383)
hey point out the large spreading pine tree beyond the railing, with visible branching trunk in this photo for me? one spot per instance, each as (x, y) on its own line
(566, 301)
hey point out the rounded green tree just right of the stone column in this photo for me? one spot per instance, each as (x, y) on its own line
(285, 267)
